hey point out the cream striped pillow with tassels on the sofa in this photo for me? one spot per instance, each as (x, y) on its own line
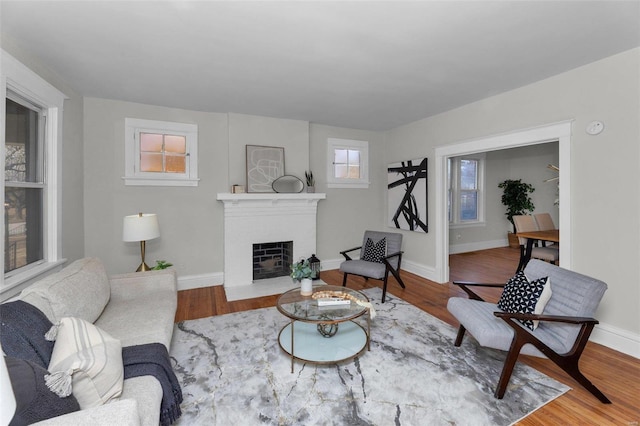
(92, 357)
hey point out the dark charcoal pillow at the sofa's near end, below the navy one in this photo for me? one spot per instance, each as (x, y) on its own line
(34, 401)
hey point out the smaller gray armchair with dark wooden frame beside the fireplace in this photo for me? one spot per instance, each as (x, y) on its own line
(380, 254)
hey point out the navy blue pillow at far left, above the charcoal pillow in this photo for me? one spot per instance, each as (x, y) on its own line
(22, 330)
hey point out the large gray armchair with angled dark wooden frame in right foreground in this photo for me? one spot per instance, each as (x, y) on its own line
(563, 331)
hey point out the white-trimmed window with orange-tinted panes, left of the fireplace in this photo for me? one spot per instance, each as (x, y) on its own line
(161, 153)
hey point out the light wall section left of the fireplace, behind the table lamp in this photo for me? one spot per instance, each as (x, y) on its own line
(190, 218)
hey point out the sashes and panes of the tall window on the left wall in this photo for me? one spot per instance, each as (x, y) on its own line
(24, 183)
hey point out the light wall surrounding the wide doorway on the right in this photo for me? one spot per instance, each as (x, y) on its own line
(605, 172)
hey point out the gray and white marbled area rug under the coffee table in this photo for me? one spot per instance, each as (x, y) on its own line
(233, 372)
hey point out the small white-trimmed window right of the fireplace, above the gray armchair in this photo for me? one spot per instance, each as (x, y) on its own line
(348, 163)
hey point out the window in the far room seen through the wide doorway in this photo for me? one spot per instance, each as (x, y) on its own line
(466, 190)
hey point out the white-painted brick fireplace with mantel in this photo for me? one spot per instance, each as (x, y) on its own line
(257, 218)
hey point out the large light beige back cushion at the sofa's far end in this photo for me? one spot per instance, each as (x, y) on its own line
(80, 290)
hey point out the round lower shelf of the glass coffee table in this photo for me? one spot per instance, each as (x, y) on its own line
(310, 346)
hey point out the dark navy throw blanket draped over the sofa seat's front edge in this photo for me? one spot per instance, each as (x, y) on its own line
(153, 360)
